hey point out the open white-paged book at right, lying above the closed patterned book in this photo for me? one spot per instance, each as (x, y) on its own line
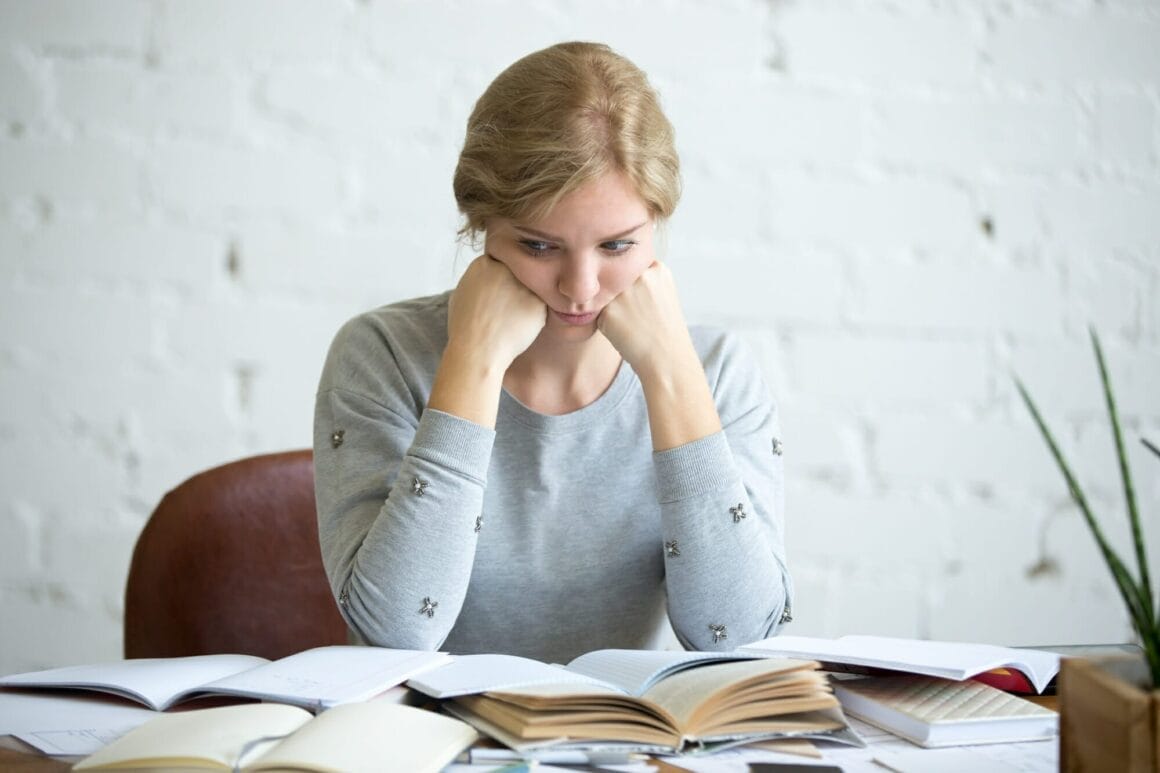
(947, 660)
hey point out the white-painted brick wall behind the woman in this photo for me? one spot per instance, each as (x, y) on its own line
(897, 205)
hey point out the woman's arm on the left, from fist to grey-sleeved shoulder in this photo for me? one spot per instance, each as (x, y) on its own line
(401, 487)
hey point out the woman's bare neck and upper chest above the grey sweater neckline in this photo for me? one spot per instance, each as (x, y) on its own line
(557, 378)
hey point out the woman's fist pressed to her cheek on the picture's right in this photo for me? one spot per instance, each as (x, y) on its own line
(646, 322)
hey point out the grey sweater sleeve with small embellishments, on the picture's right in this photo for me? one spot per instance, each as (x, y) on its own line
(722, 516)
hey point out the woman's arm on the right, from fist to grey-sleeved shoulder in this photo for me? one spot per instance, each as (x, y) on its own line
(720, 488)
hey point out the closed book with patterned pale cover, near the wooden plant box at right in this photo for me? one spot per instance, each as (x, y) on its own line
(933, 712)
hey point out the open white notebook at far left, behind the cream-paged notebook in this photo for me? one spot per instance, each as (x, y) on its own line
(316, 680)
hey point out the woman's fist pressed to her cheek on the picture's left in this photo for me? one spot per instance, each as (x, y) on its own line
(491, 314)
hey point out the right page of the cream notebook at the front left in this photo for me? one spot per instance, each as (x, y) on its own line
(373, 736)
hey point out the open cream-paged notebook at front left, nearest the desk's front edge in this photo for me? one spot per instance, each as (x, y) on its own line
(371, 736)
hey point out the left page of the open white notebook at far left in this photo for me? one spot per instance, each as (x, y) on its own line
(157, 683)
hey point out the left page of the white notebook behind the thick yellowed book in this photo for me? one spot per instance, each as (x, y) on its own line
(469, 675)
